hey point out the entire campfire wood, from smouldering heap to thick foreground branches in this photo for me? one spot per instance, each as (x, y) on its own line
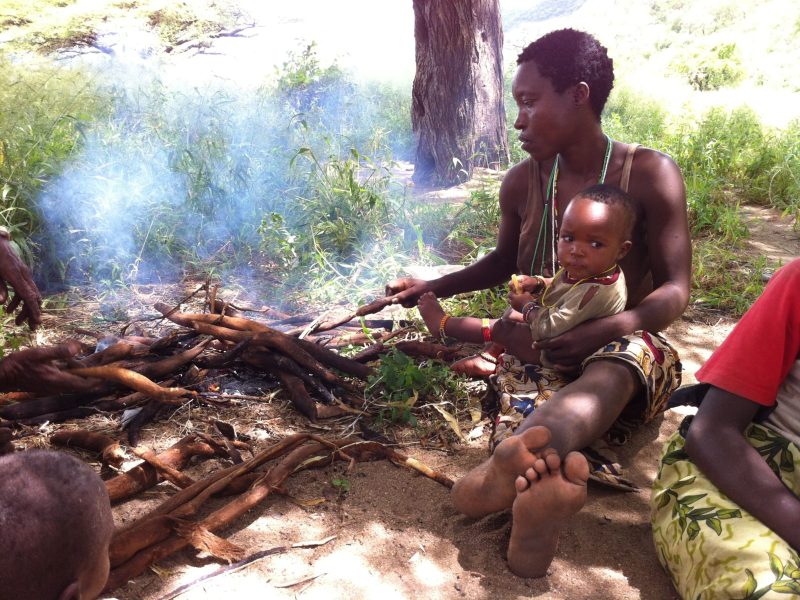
(141, 377)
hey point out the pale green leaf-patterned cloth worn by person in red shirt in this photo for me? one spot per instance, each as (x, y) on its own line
(709, 546)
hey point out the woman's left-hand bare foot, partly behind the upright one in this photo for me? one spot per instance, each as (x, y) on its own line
(490, 487)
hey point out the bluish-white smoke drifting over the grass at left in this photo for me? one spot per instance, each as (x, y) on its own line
(177, 176)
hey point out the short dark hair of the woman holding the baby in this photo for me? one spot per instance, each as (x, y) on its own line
(566, 57)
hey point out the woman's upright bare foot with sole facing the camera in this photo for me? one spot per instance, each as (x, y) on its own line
(548, 494)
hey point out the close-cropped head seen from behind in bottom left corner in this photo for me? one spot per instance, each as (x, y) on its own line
(55, 527)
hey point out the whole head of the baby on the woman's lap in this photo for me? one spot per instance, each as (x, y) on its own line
(596, 231)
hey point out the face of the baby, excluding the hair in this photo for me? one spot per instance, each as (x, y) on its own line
(590, 240)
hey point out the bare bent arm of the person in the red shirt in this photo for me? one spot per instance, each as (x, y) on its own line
(716, 444)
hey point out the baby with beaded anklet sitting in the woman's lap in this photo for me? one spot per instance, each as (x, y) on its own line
(595, 233)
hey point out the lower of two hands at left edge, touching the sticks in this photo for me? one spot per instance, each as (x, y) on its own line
(34, 370)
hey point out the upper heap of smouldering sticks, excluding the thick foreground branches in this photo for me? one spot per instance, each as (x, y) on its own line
(319, 382)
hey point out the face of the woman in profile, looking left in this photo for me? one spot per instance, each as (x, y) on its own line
(545, 118)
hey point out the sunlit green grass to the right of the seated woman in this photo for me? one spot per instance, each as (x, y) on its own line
(728, 157)
